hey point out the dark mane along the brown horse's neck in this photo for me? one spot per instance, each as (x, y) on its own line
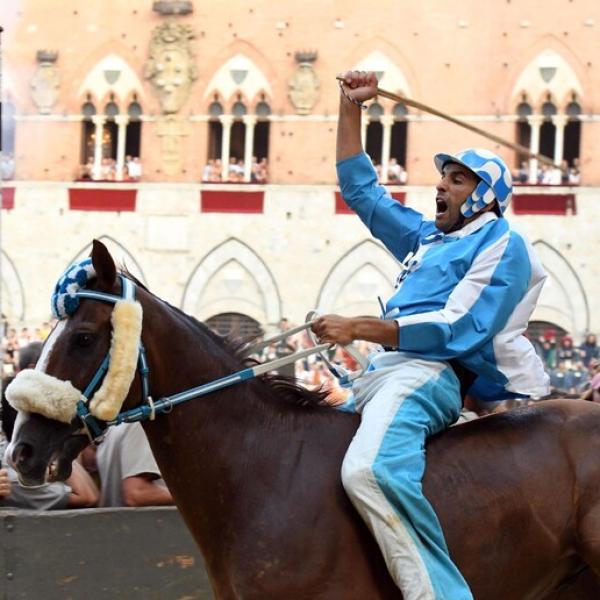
(280, 388)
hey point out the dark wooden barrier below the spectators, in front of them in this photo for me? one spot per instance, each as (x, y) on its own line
(113, 553)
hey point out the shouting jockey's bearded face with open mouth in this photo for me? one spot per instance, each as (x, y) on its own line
(455, 186)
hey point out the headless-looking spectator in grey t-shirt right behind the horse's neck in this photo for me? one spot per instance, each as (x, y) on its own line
(129, 475)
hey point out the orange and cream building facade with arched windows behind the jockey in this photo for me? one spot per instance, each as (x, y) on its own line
(181, 82)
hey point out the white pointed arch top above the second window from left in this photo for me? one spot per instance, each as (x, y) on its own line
(238, 75)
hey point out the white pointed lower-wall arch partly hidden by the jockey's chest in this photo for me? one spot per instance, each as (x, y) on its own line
(353, 283)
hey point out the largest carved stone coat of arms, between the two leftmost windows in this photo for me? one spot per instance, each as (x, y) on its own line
(171, 67)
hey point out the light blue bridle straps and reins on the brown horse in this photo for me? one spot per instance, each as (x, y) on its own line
(149, 408)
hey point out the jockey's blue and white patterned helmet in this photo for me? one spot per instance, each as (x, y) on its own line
(495, 178)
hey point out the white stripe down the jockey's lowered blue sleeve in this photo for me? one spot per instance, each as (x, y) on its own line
(468, 290)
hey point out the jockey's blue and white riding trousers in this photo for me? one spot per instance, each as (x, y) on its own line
(403, 404)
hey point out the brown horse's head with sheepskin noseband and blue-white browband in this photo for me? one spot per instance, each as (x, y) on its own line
(48, 432)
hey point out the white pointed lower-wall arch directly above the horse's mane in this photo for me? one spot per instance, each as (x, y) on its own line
(232, 278)
